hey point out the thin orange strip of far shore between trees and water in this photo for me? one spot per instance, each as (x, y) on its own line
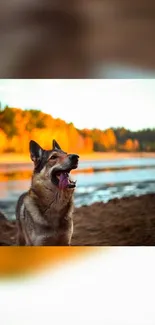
(12, 158)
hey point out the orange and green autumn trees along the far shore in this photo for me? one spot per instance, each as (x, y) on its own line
(18, 126)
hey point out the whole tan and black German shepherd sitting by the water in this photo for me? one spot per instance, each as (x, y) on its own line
(44, 213)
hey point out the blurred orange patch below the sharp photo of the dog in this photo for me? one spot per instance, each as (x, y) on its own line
(18, 261)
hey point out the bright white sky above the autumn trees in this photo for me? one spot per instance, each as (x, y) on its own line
(86, 103)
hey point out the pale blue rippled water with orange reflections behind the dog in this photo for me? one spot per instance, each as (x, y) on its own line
(110, 179)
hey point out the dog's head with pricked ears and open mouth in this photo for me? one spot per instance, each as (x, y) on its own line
(54, 165)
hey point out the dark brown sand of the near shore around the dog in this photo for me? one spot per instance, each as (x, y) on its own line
(120, 222)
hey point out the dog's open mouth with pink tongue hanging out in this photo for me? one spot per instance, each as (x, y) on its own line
(62, 179)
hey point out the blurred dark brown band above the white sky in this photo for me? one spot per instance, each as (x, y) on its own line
(76, 38)
